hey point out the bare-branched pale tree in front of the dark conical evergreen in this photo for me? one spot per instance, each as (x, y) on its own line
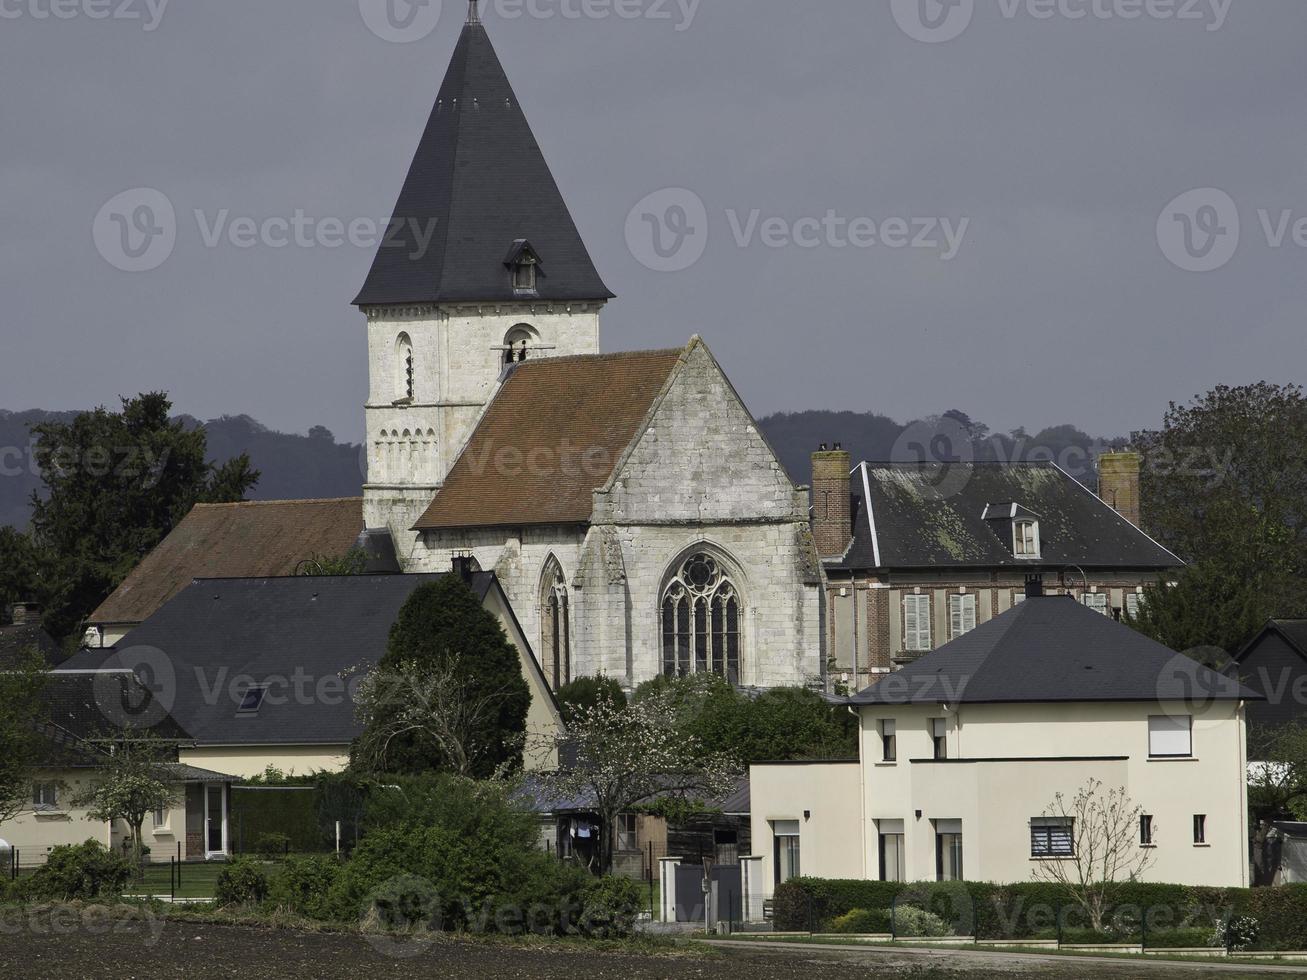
(432, 706)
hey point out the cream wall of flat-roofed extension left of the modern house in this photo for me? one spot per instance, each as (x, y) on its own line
(832, 832)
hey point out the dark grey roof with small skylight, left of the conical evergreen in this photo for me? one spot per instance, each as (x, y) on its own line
(291, 633)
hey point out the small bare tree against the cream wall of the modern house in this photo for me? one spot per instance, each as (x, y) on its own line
(1106, 850)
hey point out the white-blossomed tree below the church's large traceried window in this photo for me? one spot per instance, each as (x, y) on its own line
(619, 757)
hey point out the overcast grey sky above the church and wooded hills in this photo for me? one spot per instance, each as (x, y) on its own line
(1058, 140)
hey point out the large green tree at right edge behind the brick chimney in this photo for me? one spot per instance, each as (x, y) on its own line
(1225, 488)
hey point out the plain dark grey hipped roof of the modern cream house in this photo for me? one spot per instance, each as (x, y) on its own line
(1053, 650)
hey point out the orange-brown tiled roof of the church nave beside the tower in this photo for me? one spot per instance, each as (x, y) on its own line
(554, 436)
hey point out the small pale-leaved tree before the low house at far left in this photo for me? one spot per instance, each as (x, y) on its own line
(135, 782)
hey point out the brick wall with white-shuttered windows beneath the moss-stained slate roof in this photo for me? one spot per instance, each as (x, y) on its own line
(865, 621)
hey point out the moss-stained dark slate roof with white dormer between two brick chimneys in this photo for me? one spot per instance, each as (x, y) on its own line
(922, 517)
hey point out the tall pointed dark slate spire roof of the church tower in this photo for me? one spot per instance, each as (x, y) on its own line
(479, 185)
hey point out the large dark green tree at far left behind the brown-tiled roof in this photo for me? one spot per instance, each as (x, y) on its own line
(116, 485)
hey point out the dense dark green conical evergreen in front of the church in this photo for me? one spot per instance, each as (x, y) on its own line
(453, 671)
